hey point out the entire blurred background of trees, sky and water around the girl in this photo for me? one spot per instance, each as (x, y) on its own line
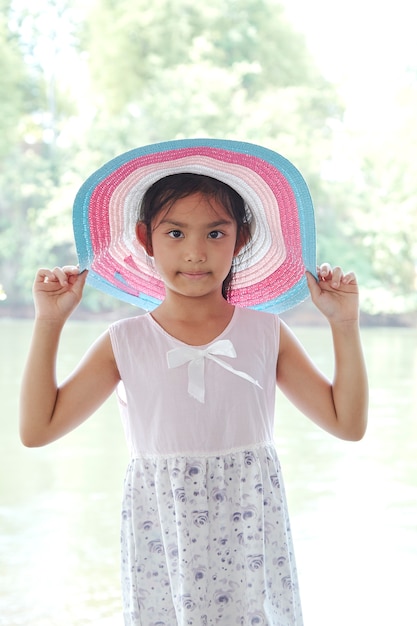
(333, 87)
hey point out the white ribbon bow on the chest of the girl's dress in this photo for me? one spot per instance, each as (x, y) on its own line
(195, 357)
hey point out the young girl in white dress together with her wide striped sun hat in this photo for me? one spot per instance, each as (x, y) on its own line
(205, 530)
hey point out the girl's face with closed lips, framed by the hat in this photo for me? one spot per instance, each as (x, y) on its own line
(193, 245)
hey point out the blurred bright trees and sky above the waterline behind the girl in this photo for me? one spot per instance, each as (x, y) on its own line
(330, 85)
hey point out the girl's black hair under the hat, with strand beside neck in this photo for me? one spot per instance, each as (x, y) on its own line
(166, 191)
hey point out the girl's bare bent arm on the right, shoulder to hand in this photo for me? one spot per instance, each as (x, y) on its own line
(340, 406)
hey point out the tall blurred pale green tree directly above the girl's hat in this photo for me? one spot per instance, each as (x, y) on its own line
(178, 69)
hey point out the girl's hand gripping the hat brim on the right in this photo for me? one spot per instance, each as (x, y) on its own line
(335, 294)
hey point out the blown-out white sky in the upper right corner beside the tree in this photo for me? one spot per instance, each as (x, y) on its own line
(364, 45)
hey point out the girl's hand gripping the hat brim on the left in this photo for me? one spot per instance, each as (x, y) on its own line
(58, 292)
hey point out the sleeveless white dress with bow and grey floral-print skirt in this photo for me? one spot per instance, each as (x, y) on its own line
(205, 531)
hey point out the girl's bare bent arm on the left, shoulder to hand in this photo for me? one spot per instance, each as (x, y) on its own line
(49, 411)
